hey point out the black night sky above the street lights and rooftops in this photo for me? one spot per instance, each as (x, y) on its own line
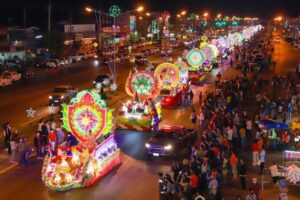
(36, 10)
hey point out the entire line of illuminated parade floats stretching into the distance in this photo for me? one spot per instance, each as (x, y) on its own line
(90, 121)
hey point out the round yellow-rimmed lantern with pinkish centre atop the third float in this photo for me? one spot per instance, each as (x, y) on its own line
(168, 74)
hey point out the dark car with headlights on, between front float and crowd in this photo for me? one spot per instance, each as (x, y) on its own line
(170, 140)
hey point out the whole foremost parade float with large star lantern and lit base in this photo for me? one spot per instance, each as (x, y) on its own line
(95, 154)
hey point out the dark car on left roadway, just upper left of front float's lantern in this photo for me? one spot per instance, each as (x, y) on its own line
(62, 94)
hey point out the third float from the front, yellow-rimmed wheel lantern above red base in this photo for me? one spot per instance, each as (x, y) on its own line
(168, 75)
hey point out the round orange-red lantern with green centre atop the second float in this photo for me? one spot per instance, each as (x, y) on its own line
(142, 83)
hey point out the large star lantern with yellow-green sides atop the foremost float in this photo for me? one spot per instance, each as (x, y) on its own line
(87, 116)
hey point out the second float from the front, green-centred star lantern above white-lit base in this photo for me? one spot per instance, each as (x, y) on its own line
(142, 111)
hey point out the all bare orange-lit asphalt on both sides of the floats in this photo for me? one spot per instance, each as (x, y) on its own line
(136, 178)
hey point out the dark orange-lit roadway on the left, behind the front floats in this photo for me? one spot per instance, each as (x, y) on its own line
(16, 99)
